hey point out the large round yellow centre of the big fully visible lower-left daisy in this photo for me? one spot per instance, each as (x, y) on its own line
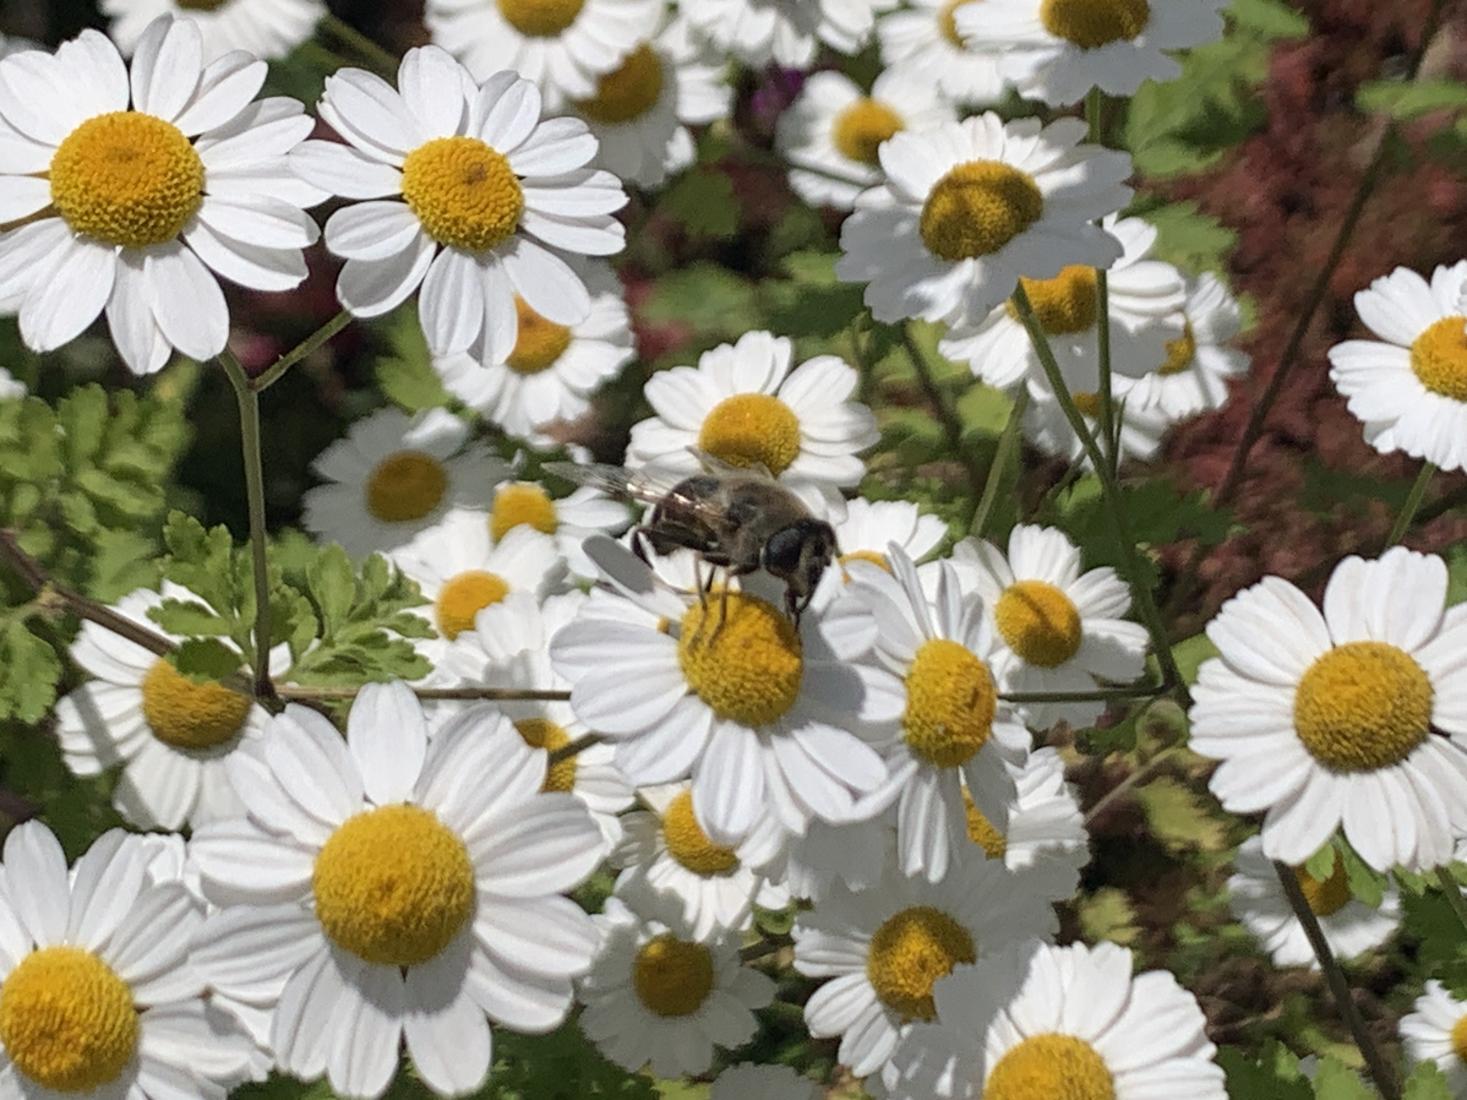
(394, 885)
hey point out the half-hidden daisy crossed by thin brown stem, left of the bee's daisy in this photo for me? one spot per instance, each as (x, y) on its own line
(510, 648)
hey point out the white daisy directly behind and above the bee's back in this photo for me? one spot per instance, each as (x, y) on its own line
(745, 406)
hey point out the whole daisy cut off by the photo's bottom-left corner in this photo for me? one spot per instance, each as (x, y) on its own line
(96, 994)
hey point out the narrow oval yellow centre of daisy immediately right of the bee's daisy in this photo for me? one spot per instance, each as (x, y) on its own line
(950, 703)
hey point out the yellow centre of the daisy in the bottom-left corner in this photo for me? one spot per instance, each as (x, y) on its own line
(67, 1020)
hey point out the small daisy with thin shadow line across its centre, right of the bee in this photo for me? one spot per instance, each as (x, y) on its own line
(1058, 628)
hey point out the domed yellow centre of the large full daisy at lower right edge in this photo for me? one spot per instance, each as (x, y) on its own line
(1364, 706)
